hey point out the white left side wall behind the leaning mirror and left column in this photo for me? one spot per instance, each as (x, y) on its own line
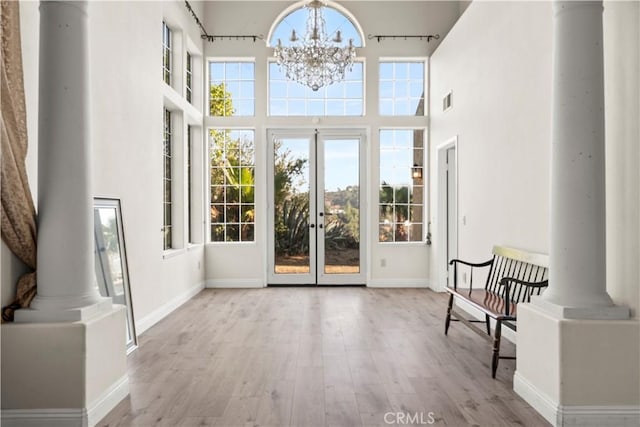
(126, 130)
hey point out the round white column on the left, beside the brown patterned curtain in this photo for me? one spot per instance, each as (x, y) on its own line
(66, 283)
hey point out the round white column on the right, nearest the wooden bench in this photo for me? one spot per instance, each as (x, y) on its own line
(577, 275)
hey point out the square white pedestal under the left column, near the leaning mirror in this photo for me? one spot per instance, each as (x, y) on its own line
(64, 374)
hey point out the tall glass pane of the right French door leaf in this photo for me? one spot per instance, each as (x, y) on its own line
(341, 206)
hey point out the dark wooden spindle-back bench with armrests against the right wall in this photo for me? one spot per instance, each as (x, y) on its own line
(513, 276)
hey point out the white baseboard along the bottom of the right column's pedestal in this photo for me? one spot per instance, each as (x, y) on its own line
(575, 416)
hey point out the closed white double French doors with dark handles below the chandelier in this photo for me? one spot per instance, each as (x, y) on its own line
(315, 207)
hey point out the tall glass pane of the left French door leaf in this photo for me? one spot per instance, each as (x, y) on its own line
(291, 206)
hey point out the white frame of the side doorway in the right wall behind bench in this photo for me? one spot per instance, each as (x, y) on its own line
(443, 218)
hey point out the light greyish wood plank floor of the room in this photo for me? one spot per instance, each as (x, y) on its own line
(316, 357)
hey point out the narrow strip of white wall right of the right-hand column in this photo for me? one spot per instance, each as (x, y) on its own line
(622, 96)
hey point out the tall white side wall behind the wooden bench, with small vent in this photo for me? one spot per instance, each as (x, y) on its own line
(496, 61)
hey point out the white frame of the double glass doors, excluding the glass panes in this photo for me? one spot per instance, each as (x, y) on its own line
(321, 133)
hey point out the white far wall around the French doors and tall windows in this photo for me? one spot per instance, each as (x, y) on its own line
(245, 264)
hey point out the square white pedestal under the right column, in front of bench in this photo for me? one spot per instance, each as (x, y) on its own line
(578, 372)
